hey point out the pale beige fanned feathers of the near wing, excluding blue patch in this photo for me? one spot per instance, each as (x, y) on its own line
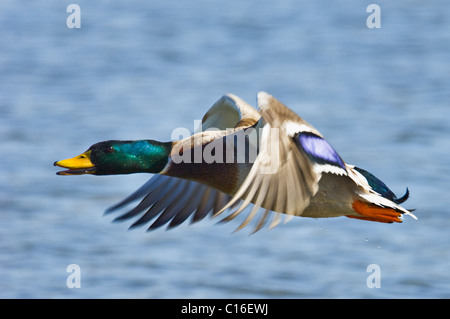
(283, 178)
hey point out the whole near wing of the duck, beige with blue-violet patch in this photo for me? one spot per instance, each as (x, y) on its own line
(286, 172)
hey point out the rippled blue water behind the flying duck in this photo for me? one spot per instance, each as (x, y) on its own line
(140, 69)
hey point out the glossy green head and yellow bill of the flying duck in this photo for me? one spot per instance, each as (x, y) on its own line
(119, 157)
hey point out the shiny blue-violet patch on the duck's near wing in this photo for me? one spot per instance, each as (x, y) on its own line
(319, 149)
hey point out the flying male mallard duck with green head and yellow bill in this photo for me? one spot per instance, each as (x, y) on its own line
(270, 158)
